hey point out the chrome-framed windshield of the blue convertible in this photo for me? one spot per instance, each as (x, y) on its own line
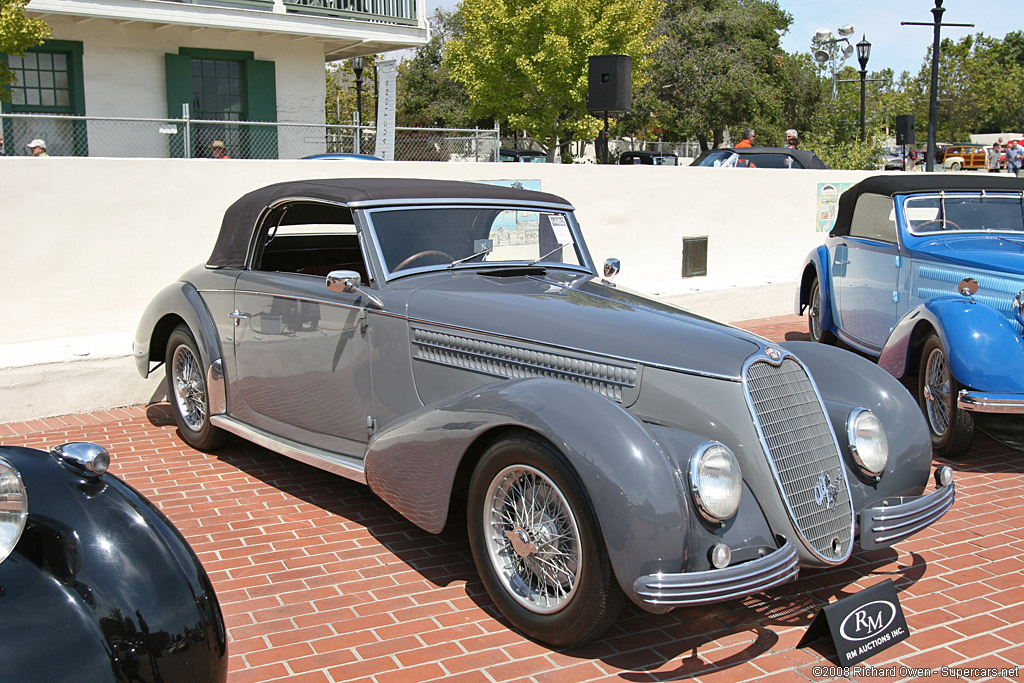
(1002, 212)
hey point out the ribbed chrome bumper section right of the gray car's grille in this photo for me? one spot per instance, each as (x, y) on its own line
(900, 518)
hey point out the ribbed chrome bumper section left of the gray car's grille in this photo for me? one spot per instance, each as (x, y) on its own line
(696, 588)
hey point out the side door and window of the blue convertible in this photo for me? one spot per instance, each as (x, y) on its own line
(868, 275)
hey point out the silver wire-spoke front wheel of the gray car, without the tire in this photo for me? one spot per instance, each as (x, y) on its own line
(533, 539)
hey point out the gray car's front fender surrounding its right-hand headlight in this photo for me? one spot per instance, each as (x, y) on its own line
(847, 381)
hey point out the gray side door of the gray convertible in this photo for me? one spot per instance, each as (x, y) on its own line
(303, 355)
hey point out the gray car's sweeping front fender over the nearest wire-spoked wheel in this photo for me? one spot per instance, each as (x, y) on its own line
(635, 493)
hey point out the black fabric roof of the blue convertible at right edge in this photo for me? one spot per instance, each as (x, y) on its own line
(906, 184)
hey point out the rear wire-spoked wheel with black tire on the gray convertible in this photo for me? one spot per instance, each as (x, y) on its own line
(188, 393)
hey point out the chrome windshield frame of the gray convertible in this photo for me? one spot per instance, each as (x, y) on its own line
(580, 246)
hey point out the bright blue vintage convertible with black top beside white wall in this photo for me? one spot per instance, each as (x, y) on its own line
(926, 274)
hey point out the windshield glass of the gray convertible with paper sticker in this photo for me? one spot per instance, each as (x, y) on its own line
(438, 238)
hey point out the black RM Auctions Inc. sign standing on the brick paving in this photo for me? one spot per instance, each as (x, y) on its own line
(865, 624)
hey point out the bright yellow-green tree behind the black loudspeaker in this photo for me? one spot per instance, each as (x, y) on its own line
(525, 62)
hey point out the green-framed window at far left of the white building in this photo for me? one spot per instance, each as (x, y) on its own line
(50, 82)
